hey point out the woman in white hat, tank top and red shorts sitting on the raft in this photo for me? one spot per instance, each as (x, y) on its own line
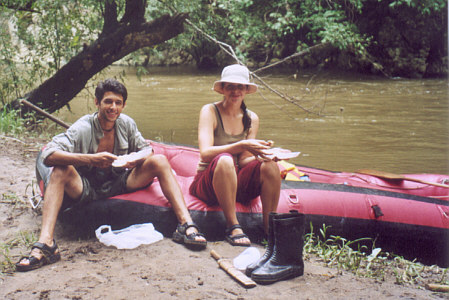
(233, 165)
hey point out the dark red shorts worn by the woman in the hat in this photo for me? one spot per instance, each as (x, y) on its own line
(248, 182)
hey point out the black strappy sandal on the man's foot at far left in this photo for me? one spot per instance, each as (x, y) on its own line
(50, 255)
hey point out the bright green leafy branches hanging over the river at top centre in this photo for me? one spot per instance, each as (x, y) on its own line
(261, 30)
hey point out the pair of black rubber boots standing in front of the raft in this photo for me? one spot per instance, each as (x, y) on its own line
(283, 257)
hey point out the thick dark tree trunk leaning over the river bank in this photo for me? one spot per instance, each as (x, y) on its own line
(117, 40)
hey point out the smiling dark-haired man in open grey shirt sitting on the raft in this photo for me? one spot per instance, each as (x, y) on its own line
(82, 161)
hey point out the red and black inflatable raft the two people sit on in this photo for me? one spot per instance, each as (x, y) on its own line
(406, 217)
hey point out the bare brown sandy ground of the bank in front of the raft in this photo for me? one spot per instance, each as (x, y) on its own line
(164, 270)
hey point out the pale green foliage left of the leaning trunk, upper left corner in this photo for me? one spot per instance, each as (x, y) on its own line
(37, 40)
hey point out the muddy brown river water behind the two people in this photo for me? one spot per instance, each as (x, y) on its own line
(356, 122)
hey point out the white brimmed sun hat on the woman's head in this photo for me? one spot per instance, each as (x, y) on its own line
(235, 74)
